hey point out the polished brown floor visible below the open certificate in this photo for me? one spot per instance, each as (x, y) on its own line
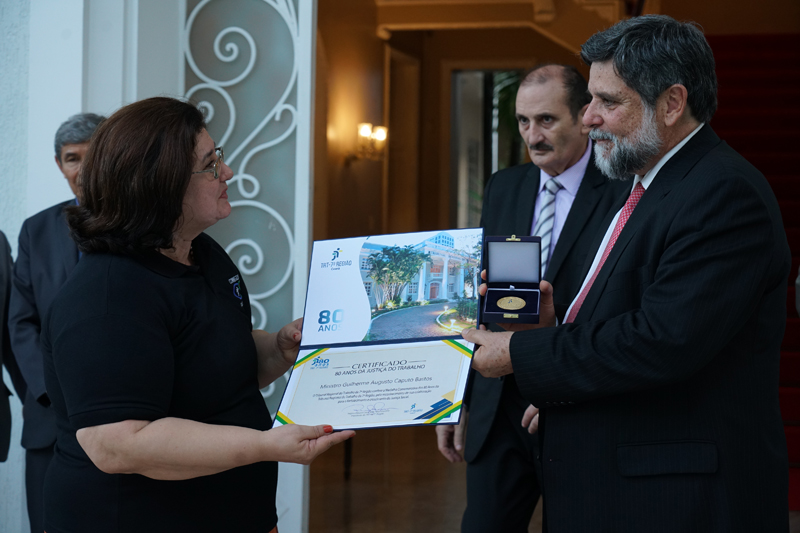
(399, 483)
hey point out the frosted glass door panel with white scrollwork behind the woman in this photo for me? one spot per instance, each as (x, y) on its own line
(243, 68)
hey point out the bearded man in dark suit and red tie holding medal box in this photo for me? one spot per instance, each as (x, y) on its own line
(659, 392)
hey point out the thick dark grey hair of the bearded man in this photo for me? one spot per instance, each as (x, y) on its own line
(652, 53)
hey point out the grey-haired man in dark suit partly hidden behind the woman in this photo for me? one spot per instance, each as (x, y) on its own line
(45, 259)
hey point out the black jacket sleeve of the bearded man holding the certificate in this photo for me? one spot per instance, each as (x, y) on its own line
(685, 289)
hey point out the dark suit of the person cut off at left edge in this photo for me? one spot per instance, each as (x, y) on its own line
(6, 357)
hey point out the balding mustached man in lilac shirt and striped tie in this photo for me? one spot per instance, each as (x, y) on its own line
(562, 197)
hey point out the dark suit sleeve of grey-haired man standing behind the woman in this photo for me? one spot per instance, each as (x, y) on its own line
(25, 324)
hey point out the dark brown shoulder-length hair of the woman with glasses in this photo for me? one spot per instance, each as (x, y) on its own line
(134, 177)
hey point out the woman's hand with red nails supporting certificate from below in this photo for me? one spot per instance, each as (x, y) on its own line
(302, 444)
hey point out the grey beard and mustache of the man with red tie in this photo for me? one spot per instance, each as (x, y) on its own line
(630, 153)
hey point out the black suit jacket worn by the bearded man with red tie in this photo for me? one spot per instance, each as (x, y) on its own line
(660, 403)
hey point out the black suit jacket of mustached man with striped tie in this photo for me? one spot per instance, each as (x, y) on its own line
(508, 205)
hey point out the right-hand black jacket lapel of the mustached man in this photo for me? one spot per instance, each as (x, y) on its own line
(589, 193)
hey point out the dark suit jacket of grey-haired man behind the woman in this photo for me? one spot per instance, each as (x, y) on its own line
(47, 255)
